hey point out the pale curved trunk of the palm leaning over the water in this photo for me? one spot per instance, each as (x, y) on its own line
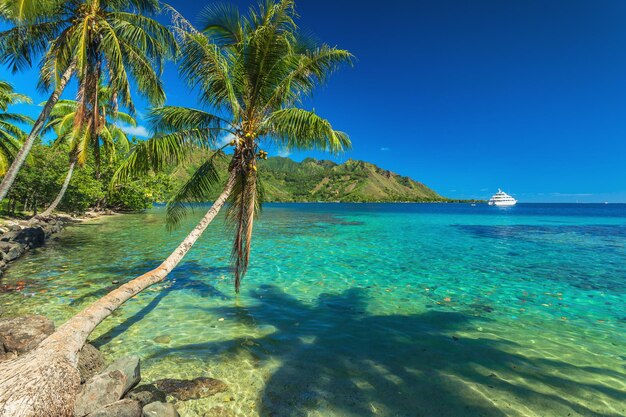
(45, 381)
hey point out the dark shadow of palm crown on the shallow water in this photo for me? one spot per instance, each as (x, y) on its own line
(334, 357)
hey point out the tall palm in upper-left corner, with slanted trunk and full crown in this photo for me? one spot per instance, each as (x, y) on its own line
(112, 40)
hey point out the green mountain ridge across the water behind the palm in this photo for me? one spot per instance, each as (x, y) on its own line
(284, 180)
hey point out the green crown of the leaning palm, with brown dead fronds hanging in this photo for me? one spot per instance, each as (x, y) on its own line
(252, 74)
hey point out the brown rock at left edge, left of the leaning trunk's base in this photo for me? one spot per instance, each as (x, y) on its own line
(22, 334)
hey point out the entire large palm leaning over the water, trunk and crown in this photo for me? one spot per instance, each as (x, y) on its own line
(253, 70)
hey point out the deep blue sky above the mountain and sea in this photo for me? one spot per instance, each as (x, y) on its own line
(468, 96)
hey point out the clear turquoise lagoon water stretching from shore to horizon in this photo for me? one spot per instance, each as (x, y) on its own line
(365, 309)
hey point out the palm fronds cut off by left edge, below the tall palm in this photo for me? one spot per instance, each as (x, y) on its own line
(11, 135)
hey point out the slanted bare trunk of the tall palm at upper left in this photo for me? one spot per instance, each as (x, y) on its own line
(11, 174)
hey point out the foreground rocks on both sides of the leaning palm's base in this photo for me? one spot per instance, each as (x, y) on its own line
(113, 390)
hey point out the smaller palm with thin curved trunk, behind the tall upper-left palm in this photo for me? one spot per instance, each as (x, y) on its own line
(102, 130)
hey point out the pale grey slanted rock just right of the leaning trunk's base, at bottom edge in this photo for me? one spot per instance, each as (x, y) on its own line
(99, 391)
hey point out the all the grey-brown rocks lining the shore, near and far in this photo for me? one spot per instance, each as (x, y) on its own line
(106, 391)
